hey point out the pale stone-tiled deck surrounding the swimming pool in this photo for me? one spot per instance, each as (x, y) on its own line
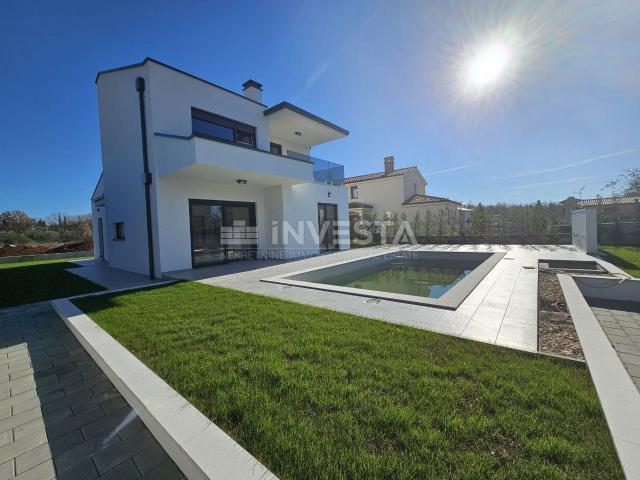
(501, 310)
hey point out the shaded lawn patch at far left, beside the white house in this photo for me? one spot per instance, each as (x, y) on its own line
(38, 280)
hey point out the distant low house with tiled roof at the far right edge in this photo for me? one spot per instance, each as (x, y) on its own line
(609, 209)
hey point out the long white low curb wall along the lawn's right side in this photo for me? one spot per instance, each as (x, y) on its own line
(619, 397)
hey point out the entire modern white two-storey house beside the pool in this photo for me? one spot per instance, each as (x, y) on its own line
(195, 174)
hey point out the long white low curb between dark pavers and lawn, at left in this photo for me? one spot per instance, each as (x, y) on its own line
(201, 449)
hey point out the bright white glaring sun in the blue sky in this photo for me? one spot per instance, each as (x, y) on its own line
(487, 66)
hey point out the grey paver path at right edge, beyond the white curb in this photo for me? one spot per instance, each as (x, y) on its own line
(621, 323)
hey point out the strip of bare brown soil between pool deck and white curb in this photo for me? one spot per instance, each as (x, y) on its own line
(556, 332)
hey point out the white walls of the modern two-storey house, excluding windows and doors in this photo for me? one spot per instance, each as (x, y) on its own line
(187, 166)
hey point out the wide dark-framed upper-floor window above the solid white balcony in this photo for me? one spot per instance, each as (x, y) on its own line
(214, 126)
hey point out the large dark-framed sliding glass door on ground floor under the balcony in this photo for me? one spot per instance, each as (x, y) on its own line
(222, 231)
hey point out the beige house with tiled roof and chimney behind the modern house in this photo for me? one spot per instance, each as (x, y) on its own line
(402, 191)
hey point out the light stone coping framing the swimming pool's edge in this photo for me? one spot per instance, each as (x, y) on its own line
(450, 300)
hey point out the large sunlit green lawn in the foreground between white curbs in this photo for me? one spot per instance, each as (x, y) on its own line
(319, 394)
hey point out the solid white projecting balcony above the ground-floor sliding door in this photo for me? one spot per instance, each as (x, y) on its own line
(207, 159)
